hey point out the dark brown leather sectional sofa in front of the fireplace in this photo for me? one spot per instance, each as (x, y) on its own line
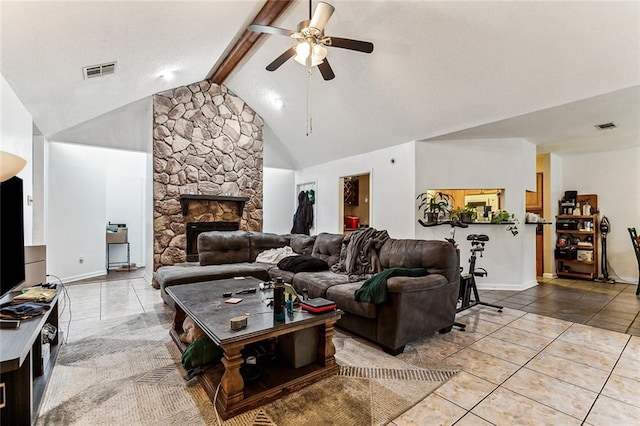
(416, 306)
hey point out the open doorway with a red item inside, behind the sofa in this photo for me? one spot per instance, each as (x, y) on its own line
(355, 202)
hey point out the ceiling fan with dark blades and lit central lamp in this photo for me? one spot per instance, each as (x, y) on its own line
(311, 46)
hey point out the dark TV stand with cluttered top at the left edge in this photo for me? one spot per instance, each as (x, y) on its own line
(25, 367)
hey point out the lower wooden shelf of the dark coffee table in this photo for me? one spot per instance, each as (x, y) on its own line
(276, 380)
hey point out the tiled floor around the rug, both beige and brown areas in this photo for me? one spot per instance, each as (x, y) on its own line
(518, 367)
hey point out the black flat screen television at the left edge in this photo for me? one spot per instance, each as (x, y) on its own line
(12, 271)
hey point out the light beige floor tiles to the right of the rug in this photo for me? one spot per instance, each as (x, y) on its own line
(528, 369)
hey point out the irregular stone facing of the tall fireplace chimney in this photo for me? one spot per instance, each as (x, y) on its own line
(206, 140)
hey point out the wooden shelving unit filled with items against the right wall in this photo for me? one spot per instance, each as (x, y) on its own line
(578, 258)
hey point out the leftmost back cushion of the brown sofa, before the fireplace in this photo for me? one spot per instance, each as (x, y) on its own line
(216, 247)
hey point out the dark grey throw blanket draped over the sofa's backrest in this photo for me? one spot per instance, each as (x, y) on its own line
(359, 254)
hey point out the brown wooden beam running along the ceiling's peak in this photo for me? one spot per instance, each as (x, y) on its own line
(271, 10)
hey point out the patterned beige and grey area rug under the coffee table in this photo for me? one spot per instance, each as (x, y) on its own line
(129, 373)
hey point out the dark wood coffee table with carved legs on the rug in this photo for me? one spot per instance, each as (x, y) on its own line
(204, 303)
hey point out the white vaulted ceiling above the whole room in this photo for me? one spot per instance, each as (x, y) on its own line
(545, 71)
